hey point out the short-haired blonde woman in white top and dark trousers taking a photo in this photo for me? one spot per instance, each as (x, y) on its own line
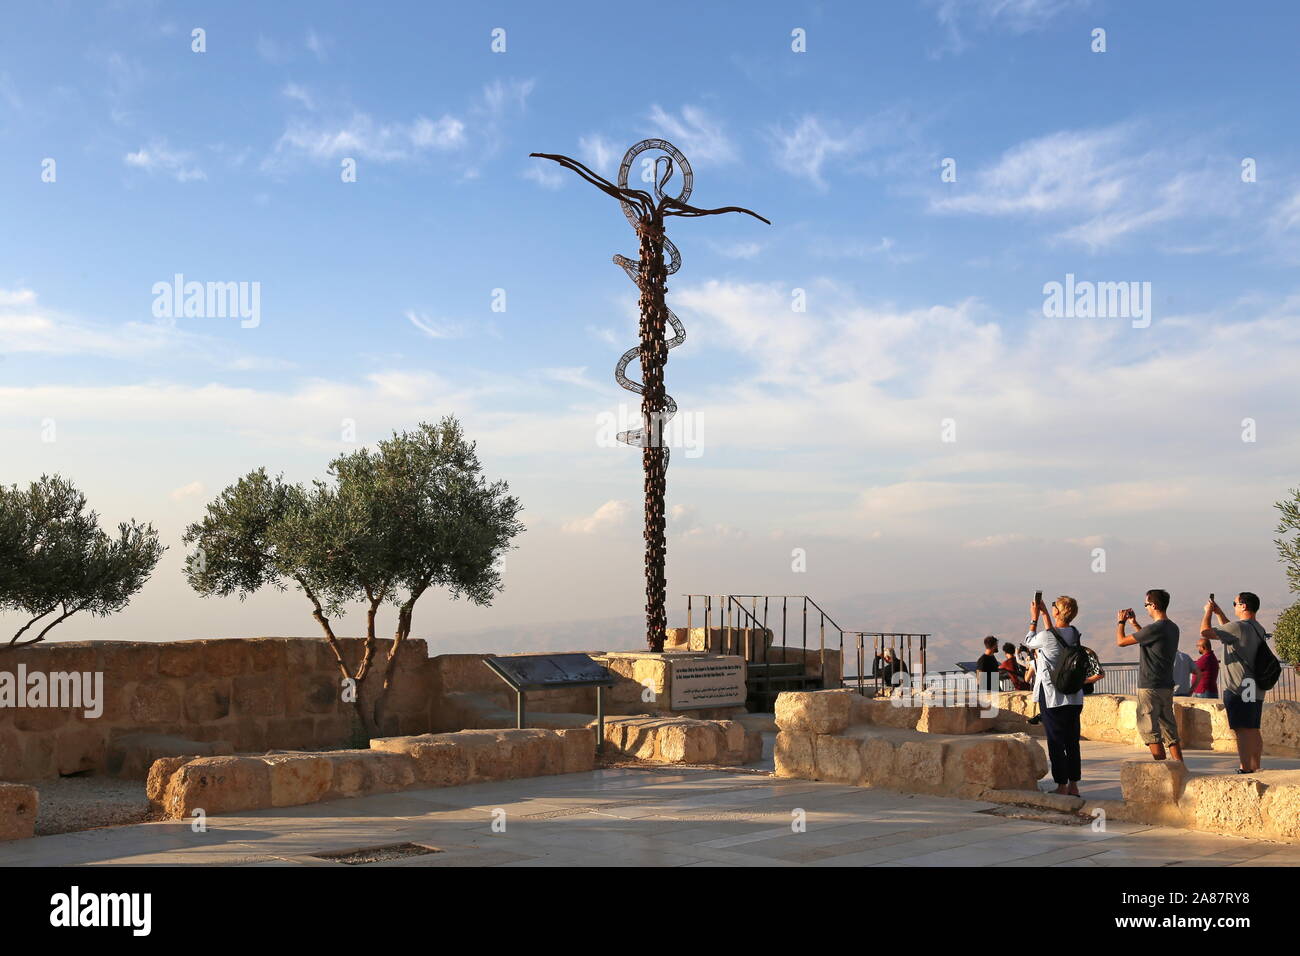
(1060, 712)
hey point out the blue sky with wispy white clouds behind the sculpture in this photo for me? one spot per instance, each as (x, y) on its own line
(821, 430)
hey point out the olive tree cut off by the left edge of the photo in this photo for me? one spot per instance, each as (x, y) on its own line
(55, 561)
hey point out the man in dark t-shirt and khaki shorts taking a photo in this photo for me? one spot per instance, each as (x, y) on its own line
(1158, 646)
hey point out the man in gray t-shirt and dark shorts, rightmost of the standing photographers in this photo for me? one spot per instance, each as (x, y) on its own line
(1243, 702)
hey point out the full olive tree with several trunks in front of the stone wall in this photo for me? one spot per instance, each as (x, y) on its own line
(395, 522)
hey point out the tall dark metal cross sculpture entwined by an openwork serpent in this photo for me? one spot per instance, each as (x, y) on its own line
(647, 214)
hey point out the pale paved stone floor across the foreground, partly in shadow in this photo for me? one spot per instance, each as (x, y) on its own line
(656, 817)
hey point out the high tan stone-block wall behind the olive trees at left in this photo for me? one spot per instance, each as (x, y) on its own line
(255, 694)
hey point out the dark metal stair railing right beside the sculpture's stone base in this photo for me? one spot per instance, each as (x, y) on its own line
(736, 620)
